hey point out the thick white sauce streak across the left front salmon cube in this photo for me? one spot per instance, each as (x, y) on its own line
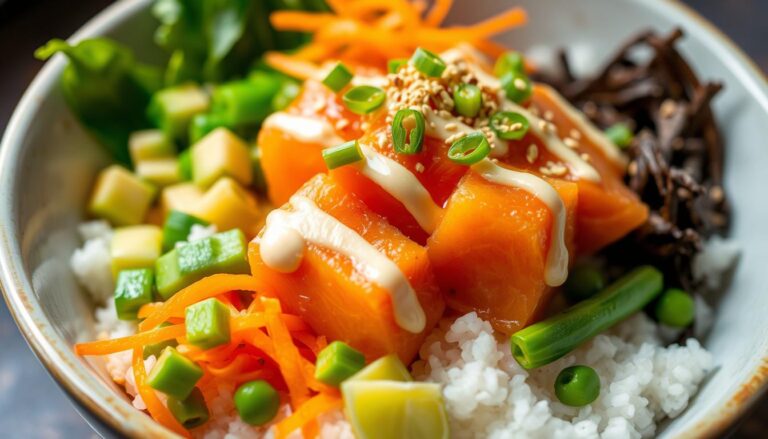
(308, 223)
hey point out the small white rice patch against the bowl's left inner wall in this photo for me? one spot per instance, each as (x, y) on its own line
(91, 262)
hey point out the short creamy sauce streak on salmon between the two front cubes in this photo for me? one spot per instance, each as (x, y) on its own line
(399, 182)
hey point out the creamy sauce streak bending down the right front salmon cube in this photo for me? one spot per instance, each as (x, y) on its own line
(556, 270)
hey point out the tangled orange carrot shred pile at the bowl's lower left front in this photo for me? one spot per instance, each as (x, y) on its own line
(265, 343)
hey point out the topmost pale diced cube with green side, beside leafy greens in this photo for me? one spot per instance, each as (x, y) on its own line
(173, 108)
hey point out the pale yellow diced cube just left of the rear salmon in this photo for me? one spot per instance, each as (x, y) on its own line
(218, 154)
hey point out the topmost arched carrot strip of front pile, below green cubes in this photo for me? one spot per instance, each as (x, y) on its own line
(210, 286)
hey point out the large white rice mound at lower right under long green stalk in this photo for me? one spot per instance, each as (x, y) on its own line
(488, 394)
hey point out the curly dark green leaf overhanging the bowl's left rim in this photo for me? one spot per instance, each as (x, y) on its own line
(106, 88)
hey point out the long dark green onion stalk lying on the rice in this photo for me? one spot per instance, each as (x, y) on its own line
(553, 338)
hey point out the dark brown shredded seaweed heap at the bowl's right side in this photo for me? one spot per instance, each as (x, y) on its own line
(676, 156)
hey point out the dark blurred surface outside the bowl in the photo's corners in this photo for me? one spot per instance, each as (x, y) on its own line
(31, 405)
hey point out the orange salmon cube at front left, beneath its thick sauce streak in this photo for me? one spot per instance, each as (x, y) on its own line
(331, 294)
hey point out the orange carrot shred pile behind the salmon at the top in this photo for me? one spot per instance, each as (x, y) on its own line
(370, 32)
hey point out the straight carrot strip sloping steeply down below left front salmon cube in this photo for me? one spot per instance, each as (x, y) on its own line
(286, 354)
